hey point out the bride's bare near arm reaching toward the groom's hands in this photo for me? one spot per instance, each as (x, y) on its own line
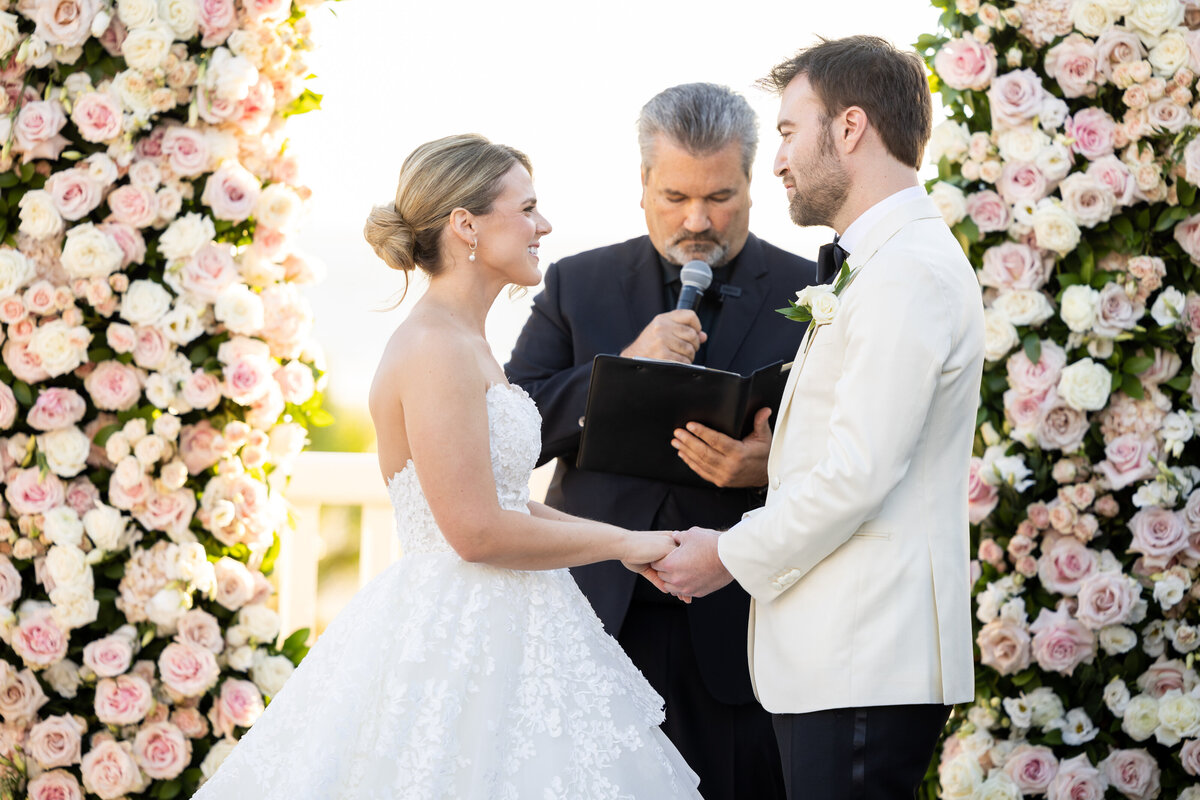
(446, 420)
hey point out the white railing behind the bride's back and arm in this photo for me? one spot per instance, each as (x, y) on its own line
(340, 479)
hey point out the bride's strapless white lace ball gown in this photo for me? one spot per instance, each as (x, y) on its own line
(445, 679)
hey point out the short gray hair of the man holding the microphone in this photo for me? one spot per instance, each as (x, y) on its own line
(703, 118)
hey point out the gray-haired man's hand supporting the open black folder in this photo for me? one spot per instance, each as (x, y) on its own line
(724, 461)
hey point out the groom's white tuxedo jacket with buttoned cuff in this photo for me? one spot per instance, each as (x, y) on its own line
(859, 564)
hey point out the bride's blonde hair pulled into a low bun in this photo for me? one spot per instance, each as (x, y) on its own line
(457, 172)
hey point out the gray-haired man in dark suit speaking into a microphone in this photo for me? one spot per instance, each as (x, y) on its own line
(698, 146)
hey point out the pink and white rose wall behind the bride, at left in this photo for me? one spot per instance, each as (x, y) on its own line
(158, 378)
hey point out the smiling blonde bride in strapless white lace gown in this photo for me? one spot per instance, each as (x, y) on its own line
(473, 667)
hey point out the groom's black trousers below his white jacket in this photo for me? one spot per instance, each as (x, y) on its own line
(868, 754)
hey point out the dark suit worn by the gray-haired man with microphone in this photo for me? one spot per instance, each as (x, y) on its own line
(598, 303)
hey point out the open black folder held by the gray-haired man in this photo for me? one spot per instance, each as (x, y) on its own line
(635, 405)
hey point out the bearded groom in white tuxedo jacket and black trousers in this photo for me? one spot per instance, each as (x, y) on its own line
(859, 563)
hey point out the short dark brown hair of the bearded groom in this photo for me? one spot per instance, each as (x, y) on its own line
(867, 71)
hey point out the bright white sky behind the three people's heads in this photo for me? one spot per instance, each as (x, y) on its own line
(562, 82)
